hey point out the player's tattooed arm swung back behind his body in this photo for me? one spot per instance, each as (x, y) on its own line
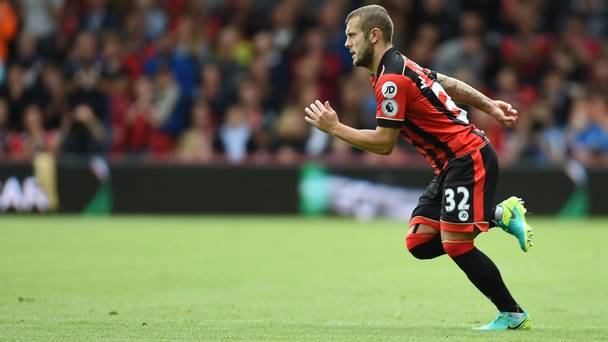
(463, 93)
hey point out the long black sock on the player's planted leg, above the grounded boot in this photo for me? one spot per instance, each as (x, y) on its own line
(482, 272)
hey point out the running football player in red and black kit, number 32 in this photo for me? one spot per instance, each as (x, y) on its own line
(418, 105)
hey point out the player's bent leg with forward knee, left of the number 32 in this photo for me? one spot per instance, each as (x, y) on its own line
(423, 240)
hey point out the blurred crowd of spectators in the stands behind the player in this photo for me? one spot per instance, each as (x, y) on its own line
(213, 80)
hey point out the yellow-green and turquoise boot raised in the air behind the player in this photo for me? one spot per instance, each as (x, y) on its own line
(514, 221)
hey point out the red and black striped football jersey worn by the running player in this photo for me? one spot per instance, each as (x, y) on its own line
(410, 98)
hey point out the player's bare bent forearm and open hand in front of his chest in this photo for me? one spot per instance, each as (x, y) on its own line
(382, 140)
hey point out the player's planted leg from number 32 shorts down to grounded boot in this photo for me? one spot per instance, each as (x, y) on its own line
(468, 188)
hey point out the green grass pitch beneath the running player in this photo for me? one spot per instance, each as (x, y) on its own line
(239, 278)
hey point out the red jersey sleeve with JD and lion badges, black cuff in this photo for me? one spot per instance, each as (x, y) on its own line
(391, 100)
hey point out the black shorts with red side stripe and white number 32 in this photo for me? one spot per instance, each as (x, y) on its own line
(461, 197)
